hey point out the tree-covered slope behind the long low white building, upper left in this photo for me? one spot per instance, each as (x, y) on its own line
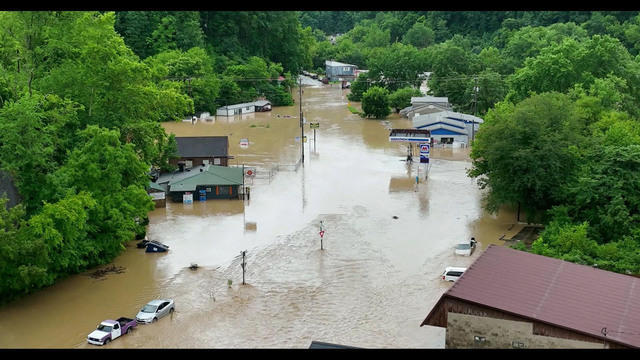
(209, 55)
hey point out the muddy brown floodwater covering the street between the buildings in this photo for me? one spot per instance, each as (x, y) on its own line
(372, 285)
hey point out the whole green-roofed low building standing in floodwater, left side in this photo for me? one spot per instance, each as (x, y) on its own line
(203, 183)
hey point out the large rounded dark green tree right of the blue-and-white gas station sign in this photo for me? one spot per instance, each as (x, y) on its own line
(533, 140)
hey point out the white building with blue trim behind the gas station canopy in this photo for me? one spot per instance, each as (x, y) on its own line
(448, 127)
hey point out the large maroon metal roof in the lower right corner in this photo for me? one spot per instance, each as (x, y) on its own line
(567, 295)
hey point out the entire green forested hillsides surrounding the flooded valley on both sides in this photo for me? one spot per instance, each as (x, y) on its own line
(82, 95)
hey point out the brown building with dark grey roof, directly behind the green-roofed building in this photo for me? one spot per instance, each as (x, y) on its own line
(201, 150)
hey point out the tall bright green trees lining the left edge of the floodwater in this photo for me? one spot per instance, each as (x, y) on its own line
(79, 130)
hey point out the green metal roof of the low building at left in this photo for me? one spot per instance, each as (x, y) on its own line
(210, 175)
